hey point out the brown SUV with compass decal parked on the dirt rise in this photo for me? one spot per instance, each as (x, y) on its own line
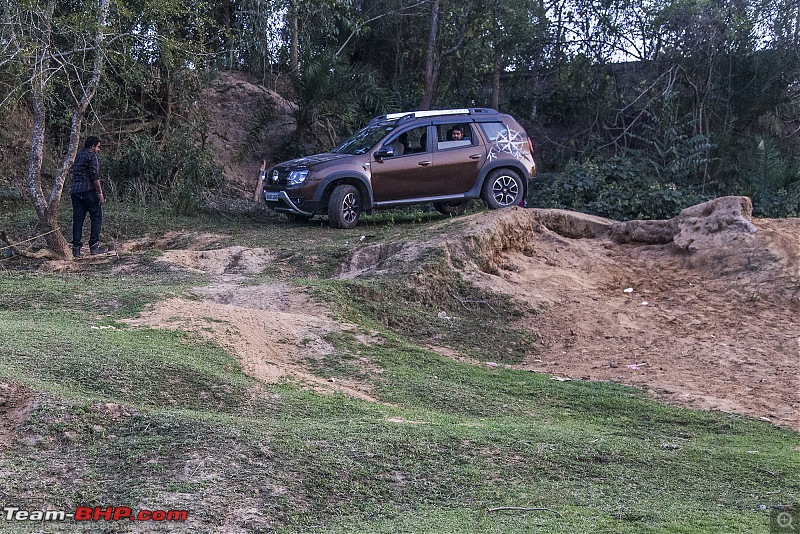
(445, 157)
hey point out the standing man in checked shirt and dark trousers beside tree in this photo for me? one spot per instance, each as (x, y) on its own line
(87, 197)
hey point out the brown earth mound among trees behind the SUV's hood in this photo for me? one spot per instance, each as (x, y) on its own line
(235, 103)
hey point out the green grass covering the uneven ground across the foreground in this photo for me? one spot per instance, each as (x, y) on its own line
(164, 420)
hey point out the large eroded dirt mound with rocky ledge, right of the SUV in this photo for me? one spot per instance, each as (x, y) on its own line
(701, 309)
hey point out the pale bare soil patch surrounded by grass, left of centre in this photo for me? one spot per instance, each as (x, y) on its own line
(274, 330)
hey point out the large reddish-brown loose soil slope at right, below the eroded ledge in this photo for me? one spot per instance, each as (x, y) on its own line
(715, 327)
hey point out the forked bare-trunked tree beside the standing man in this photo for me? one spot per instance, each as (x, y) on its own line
(73, 57)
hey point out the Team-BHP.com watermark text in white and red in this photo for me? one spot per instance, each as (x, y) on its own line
(93, 513)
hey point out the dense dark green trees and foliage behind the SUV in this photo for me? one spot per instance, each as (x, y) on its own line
(683, 86)
